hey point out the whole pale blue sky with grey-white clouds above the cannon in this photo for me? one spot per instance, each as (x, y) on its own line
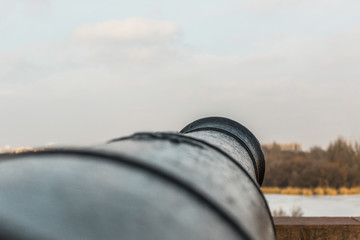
(84, 72)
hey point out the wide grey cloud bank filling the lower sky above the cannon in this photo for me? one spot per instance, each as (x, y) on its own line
(141, 78)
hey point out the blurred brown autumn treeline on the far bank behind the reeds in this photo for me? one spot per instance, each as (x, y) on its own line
(337, 166)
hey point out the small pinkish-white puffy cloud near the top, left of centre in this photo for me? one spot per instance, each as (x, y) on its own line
(128, 30)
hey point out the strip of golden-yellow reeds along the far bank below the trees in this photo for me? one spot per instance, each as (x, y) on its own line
(311, 191)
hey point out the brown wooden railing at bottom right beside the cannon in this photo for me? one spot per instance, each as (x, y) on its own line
(324, 228)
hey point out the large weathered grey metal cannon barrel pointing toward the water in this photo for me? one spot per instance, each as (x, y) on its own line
(200, 183)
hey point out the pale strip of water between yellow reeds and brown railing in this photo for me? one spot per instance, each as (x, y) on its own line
(345, 205)
